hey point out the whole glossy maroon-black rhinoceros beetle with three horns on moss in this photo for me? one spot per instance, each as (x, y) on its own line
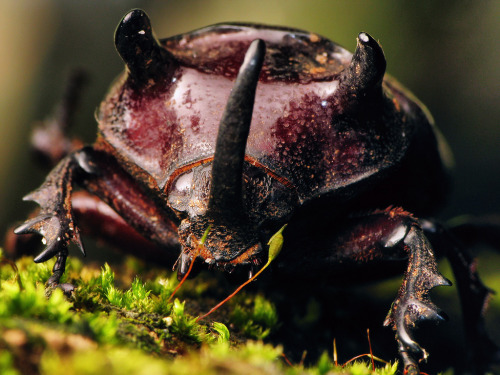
(244, 128)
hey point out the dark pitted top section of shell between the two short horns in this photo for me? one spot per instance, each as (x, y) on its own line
(291, 55)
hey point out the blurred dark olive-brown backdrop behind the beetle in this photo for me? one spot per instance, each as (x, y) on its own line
(447, 53)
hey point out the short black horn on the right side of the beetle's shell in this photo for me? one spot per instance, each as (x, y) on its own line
(367, 68)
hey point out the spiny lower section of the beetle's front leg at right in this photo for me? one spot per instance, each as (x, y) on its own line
(413, 304)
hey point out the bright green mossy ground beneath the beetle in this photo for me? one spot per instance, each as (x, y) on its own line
(119, 323)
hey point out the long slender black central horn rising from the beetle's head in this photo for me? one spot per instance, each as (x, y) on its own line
(227, 167)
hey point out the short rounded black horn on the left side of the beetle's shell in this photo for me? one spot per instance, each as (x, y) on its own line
(144, 57)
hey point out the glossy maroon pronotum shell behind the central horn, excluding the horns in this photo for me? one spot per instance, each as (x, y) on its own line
(300, 131)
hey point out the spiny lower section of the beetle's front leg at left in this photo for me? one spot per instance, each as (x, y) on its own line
(55, 220)
